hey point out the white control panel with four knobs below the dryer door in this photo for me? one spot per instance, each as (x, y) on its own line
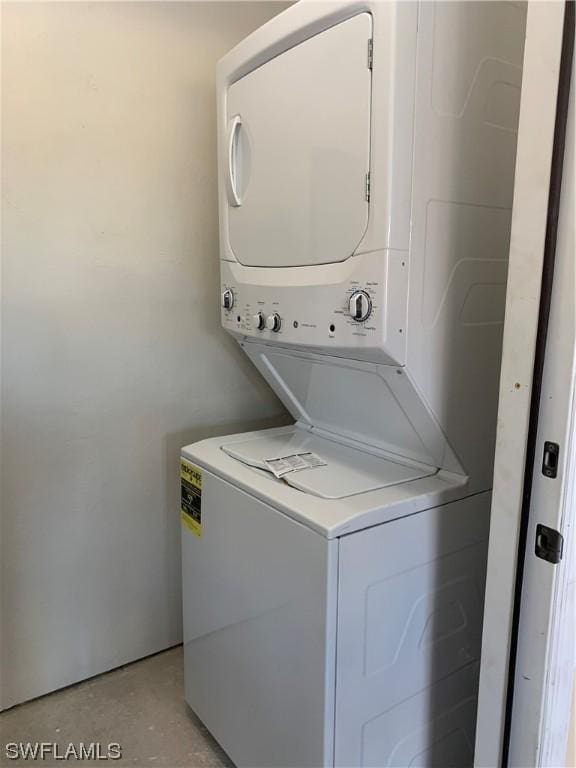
(362, 315)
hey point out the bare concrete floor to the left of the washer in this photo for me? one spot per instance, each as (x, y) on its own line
(140, 706)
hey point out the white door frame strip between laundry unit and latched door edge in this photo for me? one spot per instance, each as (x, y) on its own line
(530, 282)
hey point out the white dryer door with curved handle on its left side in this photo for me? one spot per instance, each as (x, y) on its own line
(298, 150)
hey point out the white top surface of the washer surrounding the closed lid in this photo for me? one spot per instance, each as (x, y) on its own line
(330, 517)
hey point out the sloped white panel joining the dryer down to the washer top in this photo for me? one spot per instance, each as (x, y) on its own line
(358, 403)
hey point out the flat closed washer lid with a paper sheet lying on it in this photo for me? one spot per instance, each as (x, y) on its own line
(345, 471)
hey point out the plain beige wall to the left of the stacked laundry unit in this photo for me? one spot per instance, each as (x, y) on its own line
(112, 352)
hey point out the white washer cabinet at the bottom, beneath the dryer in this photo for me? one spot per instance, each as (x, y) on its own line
(332, 631)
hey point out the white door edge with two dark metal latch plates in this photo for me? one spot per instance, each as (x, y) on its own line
(544, 672)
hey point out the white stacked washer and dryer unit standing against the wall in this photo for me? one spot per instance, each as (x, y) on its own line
(333, 613)
